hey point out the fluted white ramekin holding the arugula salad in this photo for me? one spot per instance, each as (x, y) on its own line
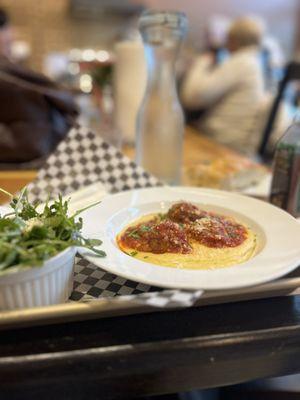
(39, 286)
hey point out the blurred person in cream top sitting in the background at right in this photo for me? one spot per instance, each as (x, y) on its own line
(232, 93)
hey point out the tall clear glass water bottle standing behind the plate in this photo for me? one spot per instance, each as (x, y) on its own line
(160, 120)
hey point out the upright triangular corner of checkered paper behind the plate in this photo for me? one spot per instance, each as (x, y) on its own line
(84, 158)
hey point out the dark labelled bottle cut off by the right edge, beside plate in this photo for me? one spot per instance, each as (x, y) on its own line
(285, 188)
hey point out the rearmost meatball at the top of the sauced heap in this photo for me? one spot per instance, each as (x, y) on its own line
(185, 213)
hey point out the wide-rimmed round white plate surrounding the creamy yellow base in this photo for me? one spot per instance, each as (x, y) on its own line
(278, 236)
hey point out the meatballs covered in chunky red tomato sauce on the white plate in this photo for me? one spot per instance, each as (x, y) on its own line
(182, 224)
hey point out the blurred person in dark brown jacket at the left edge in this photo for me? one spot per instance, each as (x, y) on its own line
(35, 113)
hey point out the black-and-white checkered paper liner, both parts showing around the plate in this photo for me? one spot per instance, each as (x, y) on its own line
(82, 159)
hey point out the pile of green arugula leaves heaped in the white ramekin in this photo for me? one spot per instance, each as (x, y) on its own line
(28, 236)
